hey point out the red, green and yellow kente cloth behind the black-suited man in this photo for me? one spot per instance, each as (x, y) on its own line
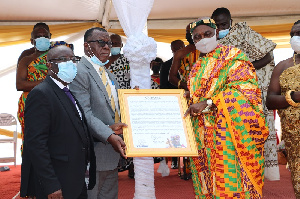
(36, 70)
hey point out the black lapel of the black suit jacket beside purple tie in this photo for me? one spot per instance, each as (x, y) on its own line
(68, 106)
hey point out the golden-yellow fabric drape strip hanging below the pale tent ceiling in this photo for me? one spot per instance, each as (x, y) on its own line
(18, 34)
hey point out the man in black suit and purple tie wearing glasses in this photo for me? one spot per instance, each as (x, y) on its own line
(57, 143)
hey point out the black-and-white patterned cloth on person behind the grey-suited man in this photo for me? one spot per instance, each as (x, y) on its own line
(120, 68)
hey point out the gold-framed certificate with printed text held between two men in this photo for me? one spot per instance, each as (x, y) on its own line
(156, 126)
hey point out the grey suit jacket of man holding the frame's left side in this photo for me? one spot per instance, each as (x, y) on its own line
(93, 97)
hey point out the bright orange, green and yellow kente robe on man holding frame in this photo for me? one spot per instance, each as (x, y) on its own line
(230, 139)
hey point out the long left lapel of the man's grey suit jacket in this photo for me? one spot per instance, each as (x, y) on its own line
(96, 79)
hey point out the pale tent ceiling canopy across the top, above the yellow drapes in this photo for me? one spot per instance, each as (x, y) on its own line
(164, 12)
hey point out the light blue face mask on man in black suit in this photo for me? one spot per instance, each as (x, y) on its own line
(67, 71)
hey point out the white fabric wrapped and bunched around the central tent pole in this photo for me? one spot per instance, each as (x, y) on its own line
(140, 50)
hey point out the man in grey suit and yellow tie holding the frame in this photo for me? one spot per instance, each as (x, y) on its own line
(96, 90)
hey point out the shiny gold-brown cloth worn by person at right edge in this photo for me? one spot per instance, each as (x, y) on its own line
(290, 124)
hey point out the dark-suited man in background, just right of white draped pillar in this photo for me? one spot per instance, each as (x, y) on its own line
(165, 69)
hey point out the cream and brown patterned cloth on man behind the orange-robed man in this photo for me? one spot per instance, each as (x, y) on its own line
(255, 46)
